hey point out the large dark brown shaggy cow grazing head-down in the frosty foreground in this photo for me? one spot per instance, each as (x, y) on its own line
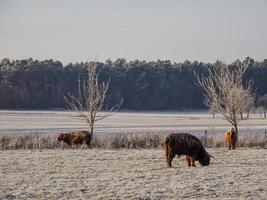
(186, 144)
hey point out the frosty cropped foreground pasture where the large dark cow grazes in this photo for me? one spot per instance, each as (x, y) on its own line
(130, 174)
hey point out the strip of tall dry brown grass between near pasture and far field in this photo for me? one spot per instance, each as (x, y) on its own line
(123, 140)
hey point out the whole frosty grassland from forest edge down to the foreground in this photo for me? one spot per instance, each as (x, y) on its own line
(127, 161)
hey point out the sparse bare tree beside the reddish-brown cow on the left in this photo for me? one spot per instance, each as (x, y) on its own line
(90, 100)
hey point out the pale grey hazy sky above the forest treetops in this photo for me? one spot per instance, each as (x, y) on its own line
(96, 30)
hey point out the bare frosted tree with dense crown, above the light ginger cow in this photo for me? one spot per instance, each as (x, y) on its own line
(225, 93)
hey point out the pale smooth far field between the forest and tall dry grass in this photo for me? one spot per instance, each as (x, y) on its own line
(49, 122)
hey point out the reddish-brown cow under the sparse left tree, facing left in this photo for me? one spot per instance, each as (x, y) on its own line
(78, 137)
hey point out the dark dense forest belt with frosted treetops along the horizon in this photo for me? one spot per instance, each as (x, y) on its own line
(158, 85)
